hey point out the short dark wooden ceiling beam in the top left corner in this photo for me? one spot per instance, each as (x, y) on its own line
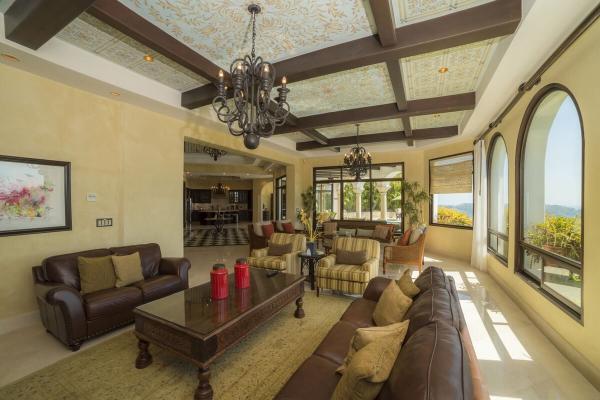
(31, 23)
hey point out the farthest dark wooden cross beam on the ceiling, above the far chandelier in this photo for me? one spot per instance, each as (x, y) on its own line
(418, 134)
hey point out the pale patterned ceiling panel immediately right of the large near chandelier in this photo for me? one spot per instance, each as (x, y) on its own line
(359, 87)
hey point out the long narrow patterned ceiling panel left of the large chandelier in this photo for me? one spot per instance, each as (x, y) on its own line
(95, 36)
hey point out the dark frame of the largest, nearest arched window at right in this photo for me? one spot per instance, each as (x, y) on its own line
(520, 244)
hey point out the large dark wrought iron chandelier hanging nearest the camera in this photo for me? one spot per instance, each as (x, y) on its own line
(252, 113)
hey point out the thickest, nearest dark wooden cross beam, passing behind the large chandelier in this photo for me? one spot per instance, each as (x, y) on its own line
(490, 20)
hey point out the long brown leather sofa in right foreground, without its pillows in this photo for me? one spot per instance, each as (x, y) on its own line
(436, 361)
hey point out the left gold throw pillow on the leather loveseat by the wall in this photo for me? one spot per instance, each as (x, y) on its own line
(96, 273)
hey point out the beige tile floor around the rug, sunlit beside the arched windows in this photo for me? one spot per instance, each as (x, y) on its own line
(518, 362)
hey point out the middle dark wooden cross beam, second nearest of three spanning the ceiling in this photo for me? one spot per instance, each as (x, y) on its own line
(436, 105)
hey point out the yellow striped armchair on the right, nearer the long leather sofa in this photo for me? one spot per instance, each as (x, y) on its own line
(345, 277)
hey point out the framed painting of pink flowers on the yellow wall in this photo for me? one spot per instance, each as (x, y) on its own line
(35, 195)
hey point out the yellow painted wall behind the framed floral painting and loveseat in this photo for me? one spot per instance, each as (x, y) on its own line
(132, 158)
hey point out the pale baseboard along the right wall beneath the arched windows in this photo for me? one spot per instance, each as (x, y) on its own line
(582, 364)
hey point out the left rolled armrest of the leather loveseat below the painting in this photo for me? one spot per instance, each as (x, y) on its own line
(72, 325)
